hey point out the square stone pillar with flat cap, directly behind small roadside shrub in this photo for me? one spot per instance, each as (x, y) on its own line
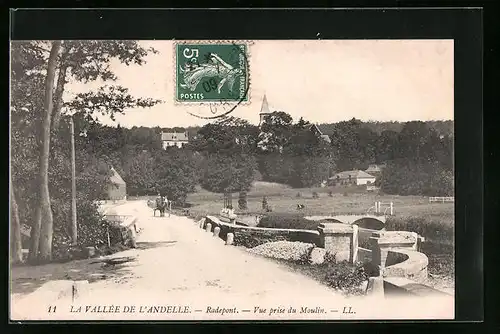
(336, 239)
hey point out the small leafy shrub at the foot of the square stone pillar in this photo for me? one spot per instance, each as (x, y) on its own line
(346, 277)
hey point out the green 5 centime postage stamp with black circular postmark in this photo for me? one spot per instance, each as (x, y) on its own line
(211, 72)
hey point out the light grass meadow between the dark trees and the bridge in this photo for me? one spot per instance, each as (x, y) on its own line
(343, 200)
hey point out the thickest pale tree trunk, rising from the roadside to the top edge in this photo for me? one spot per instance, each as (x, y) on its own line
(42, 248)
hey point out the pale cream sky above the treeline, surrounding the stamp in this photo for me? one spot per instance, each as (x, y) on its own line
(324, 81)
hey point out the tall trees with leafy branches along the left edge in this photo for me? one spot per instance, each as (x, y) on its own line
(36, 140)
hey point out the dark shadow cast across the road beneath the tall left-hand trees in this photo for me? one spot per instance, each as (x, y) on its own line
(25, 279)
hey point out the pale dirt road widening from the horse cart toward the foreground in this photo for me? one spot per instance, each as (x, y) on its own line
(181, 272)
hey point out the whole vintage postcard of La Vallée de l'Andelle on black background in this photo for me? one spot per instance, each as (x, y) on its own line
(232, 180)
